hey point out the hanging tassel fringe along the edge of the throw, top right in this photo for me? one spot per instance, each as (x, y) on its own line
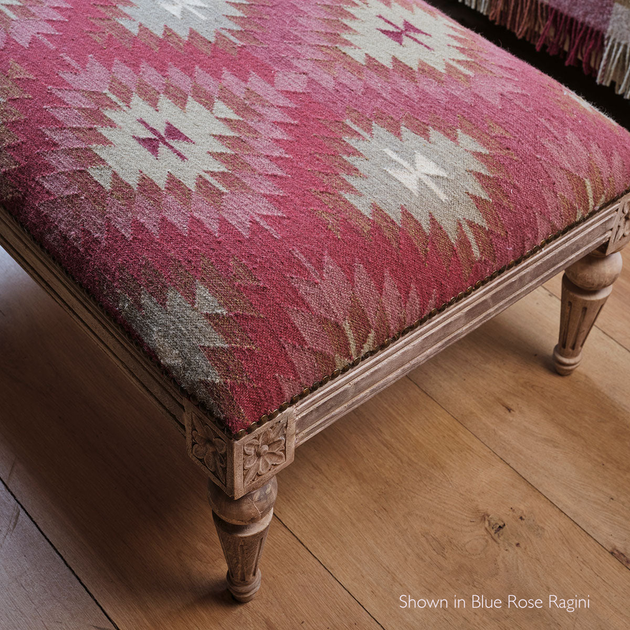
(548, 28)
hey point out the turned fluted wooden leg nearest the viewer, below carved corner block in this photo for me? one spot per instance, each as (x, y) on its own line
(242, 525)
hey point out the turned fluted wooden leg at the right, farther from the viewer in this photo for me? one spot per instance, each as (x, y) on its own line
(586, 286)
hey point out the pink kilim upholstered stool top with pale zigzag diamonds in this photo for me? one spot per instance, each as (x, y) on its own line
(263, 191)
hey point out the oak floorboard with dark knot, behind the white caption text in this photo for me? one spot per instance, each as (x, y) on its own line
(398, 498)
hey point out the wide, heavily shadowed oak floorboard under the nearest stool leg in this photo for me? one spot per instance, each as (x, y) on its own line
(108, 480)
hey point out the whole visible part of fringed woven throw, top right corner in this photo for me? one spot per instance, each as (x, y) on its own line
(593, 32)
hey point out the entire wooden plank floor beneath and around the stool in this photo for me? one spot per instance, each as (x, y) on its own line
(510, 480)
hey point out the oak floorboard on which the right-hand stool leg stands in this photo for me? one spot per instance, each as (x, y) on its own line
(568, 436)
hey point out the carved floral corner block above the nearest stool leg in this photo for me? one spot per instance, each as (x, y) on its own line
(240, 466)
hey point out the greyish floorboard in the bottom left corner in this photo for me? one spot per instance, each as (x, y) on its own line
(37, 590)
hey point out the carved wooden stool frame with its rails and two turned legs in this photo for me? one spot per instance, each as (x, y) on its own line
(242, 468)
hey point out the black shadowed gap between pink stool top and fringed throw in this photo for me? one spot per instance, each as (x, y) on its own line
(604, 98)
